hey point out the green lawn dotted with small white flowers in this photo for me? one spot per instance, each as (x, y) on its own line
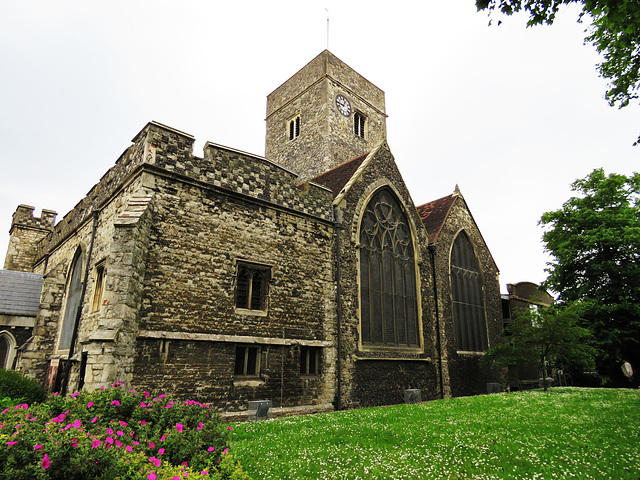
(563, 433)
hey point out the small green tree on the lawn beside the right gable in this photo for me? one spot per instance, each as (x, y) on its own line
(545, 337)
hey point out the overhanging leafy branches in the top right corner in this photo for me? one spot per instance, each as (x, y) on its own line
(614, 30)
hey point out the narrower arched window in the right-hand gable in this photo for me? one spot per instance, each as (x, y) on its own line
(468, 298)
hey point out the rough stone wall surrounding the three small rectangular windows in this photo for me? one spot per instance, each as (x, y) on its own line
(189, 324)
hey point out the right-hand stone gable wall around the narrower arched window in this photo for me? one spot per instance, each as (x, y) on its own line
(464, 373)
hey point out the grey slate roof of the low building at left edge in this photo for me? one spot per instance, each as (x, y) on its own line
(20, 293)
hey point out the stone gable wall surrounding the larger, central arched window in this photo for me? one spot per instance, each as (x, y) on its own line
(379, 377)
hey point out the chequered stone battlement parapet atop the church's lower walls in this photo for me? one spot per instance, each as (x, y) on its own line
(171, 150)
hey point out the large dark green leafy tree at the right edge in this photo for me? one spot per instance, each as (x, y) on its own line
(594, 240)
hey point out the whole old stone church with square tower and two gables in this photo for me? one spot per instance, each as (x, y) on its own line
(307, 277)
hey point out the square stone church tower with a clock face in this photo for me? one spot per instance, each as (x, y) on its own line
(323, 116)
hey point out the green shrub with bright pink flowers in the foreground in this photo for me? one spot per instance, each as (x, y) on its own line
(113, 433)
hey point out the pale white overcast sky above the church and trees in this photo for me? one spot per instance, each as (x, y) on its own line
(512, 115)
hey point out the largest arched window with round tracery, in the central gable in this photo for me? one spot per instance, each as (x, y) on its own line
(389, 306)
